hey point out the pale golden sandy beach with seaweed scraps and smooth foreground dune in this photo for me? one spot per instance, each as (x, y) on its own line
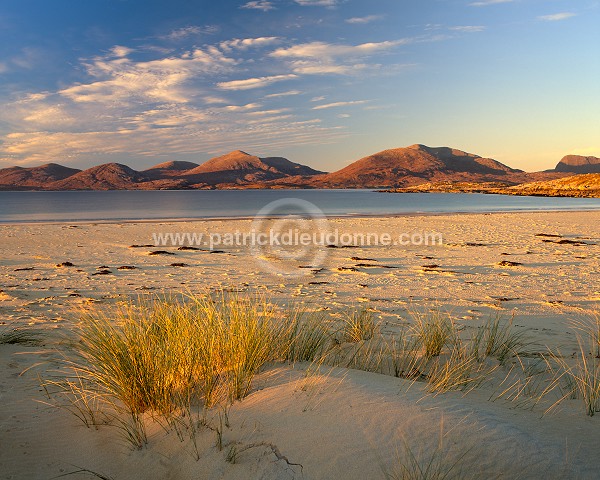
(540, 269)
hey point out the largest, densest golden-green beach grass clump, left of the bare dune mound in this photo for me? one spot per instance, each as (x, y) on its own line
(166, 357)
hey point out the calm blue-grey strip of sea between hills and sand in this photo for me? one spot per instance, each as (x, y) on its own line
(148, 205)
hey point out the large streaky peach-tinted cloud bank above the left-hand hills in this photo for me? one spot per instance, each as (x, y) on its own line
(164, 106)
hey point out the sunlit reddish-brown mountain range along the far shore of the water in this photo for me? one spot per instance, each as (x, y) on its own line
(393, 168)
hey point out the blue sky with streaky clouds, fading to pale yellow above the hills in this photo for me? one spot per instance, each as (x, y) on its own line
(320, 82)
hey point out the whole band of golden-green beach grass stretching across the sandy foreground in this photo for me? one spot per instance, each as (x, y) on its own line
(172, 359)
